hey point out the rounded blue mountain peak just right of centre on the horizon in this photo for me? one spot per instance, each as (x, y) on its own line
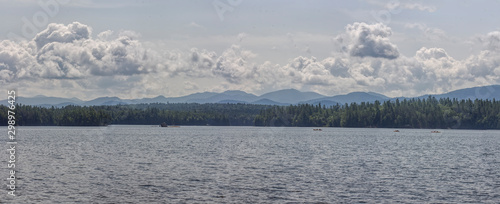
(291, 96)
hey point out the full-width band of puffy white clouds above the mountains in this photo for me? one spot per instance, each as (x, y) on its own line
(69, 60)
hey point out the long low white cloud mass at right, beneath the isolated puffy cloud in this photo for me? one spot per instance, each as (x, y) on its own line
(430, 70)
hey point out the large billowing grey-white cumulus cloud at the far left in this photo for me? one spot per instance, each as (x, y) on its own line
(69, 51)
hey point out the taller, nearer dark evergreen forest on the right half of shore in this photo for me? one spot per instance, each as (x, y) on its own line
(408, 113)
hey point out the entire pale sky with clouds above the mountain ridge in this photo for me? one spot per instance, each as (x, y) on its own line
(138, 49)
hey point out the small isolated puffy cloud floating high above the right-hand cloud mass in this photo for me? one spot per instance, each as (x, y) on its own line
(369, 40)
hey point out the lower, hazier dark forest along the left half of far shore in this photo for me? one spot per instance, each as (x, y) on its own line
(141, 114)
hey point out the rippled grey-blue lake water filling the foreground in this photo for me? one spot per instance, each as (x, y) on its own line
(145, 164)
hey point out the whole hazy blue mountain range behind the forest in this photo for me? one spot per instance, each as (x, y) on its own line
(281, 97)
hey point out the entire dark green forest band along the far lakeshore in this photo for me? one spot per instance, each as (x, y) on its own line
(412, 113)
